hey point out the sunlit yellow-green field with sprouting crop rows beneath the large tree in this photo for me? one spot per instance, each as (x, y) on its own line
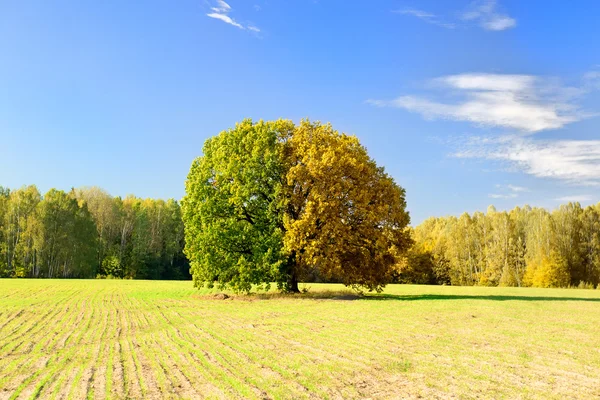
(156, 339)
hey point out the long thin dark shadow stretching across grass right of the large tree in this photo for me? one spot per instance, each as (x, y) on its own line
(380, 297)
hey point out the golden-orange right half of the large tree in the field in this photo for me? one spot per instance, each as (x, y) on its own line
(345, 216)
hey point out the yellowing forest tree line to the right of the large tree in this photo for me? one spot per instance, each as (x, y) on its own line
(522, 247)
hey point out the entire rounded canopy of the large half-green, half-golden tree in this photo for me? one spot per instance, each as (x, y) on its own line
(274, 202)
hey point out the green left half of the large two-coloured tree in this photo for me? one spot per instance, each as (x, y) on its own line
(233, 208)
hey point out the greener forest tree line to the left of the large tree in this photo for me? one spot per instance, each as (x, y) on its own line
(86, 233)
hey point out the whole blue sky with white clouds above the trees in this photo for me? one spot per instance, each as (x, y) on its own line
(466, 104)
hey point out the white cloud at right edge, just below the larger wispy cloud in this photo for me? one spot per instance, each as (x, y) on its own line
(576, 162)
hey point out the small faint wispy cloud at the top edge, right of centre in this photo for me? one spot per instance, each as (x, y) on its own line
(484, 13)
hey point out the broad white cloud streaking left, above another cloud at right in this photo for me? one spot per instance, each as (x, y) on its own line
(522, 102)
